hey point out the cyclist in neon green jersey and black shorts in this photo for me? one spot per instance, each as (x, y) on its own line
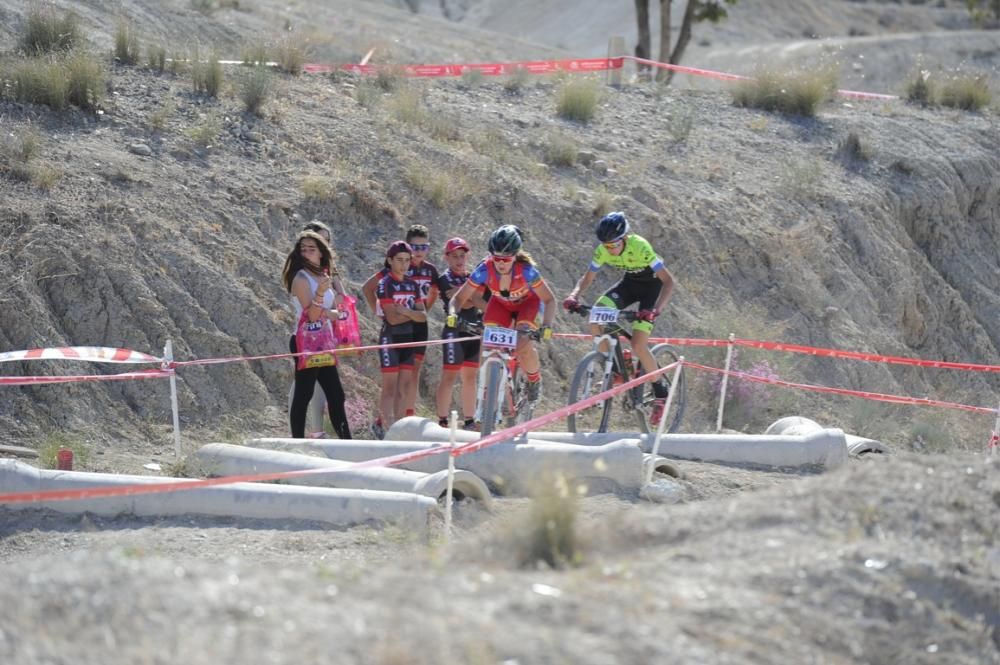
(647, 282)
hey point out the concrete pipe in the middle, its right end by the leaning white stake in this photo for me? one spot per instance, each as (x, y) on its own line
(507, 467)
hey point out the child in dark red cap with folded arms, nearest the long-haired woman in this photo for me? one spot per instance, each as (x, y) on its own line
(402, 305)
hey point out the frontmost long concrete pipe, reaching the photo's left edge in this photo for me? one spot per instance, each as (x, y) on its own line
(249, 500)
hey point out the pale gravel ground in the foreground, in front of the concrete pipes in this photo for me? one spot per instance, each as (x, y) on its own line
(889, 559)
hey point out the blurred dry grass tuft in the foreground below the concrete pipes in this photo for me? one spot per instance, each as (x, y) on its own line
(549, 533)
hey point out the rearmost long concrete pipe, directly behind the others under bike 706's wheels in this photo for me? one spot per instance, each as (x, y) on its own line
(825, 447)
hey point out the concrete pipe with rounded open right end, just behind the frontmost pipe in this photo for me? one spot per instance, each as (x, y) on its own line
(223, 459)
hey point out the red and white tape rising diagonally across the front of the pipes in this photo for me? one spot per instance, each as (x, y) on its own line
(502, 435)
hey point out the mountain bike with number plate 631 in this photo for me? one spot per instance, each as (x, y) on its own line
(502, 392)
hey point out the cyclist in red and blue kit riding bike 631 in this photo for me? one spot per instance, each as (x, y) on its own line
(517, 292)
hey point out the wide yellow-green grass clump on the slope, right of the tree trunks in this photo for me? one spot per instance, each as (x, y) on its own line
(790, 92)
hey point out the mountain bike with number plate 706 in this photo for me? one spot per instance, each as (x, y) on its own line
(600, 370)
